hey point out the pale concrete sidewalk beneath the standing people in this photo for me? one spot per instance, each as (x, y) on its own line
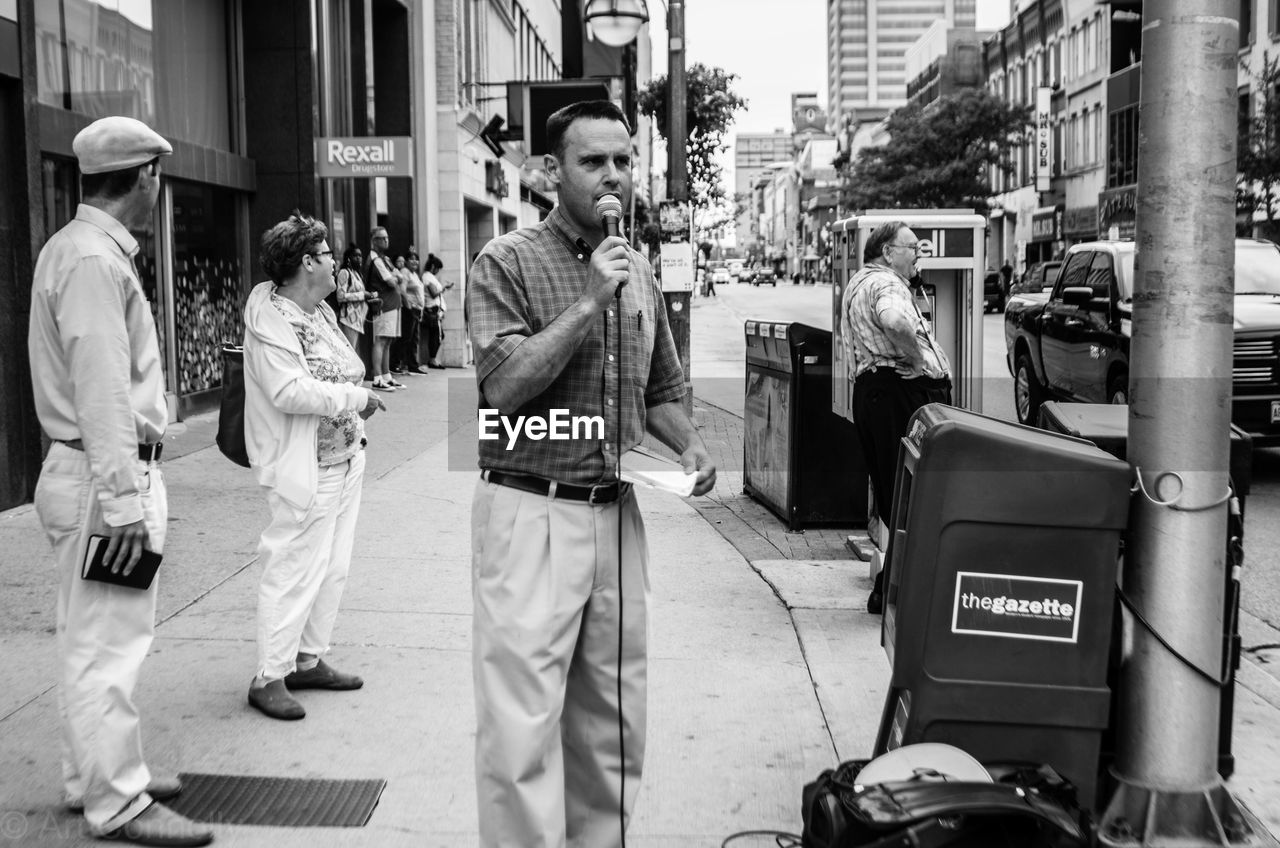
(765, 667)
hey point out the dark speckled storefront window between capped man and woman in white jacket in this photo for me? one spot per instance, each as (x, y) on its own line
(208, 300)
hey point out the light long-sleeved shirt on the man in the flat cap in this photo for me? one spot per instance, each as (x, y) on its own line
(95, 361)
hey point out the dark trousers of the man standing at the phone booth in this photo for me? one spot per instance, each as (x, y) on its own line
(884, 404)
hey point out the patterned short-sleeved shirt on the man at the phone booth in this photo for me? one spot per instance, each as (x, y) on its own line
(870, 294)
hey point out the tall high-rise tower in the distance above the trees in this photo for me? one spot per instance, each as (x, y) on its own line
(867, 43)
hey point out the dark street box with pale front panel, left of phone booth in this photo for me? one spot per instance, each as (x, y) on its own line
(801, 461)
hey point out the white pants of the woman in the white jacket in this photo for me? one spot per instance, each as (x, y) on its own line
(305, 569)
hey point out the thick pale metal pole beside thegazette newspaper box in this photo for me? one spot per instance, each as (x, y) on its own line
(1180, 417)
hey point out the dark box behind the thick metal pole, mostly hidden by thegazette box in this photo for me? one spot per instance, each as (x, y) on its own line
(1108, 427)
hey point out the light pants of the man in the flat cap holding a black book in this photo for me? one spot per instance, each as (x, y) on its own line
(104, 633)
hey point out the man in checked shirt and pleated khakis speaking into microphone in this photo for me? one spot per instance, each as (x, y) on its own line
(560, 624)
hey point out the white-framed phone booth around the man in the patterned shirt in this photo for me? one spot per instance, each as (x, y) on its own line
(952, 266)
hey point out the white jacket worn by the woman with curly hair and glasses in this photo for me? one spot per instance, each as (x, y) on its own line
(284, 403)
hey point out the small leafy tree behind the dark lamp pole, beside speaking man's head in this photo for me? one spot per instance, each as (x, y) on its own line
(711, 106)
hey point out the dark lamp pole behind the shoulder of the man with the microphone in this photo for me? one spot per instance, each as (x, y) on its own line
(678, 176)
